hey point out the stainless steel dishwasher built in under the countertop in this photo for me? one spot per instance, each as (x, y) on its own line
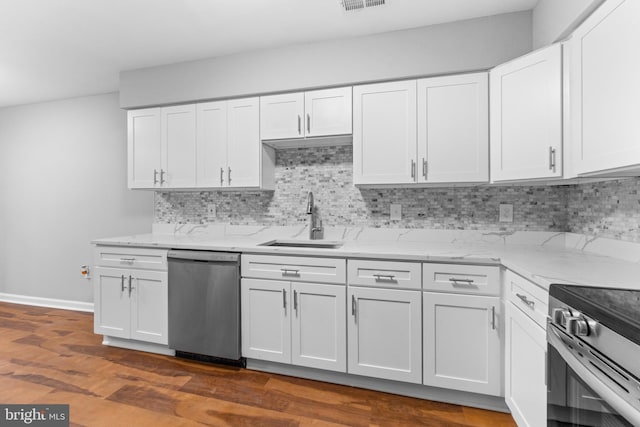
(204, 305)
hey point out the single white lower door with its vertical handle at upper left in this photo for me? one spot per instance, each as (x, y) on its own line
(385, 334)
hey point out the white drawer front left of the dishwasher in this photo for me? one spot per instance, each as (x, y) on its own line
(116, 256)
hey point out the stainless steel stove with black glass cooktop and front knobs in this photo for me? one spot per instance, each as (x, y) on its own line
(594, 357)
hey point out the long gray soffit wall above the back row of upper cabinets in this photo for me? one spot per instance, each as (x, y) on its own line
(447, 48)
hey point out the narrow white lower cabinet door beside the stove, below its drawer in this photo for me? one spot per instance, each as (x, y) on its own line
(525, 369)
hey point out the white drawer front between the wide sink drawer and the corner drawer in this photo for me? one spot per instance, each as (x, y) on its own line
(384, 274)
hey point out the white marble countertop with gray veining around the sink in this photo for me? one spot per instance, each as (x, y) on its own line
(542, 257)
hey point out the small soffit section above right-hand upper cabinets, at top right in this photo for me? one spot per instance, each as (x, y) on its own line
(554, 19)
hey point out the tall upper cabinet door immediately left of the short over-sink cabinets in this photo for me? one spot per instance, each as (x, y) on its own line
(243, 143)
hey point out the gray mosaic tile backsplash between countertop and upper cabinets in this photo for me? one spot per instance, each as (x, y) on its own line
(609, 209)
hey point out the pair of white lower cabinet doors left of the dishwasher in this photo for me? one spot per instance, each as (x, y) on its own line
(131, 304)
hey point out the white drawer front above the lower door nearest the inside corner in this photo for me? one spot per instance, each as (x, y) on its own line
(463, 279)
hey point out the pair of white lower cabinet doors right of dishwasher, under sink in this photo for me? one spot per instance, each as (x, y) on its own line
(291, 322)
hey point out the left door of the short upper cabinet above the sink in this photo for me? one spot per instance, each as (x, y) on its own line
(281, 116)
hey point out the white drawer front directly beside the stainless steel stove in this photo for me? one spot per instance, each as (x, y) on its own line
(528, 297)
